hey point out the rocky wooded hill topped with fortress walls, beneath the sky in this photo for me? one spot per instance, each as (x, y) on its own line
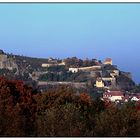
(92, 72)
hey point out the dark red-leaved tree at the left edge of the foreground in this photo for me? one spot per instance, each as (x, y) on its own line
(17, 107)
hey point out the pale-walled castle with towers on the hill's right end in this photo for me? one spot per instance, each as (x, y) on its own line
(107, 78)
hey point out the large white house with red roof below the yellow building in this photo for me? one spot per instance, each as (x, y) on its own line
(113, 95)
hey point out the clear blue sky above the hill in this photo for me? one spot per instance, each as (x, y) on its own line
(61, 30)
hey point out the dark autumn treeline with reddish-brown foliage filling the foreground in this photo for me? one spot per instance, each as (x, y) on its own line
(60, 112)
